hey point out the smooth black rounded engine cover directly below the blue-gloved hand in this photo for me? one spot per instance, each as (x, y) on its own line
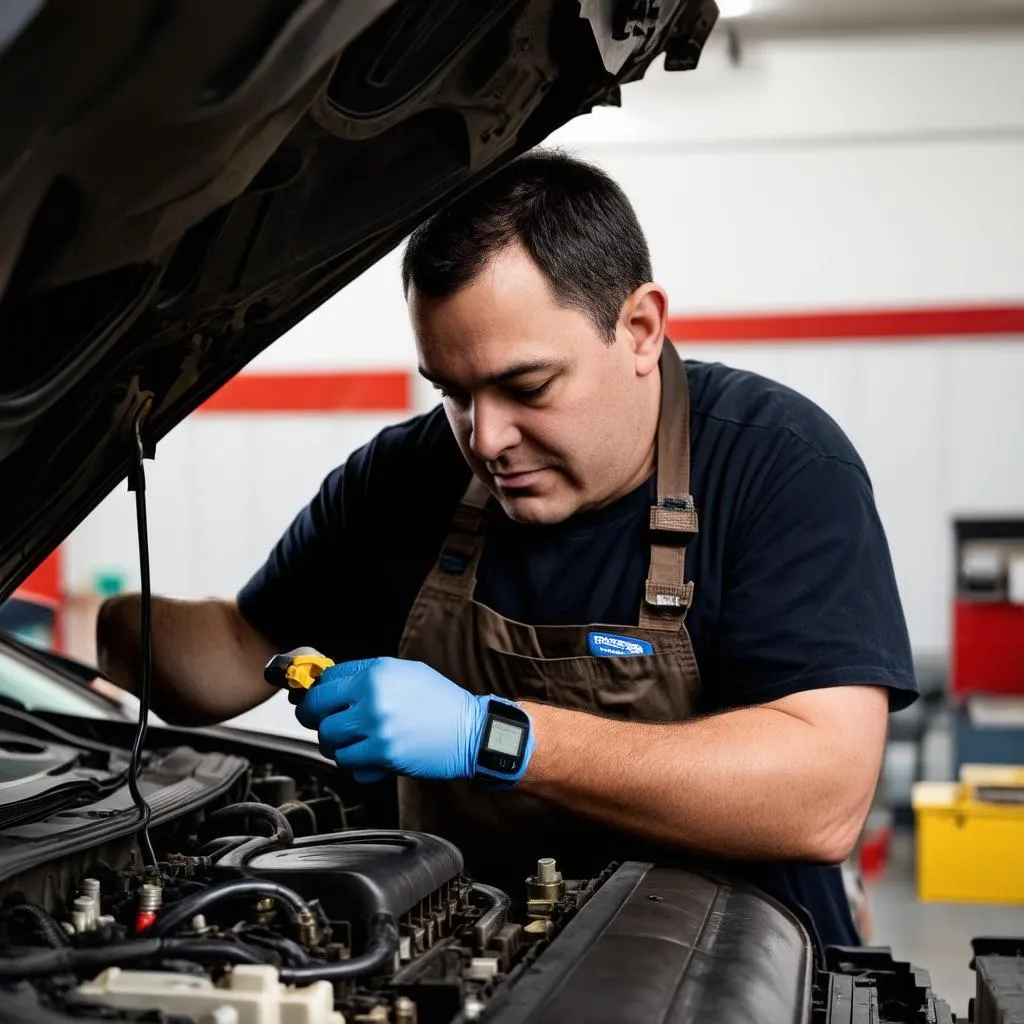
(358, 875)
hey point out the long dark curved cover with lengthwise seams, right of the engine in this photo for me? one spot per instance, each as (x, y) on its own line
(681, 947)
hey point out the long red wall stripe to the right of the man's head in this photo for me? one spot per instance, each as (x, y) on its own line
(964, 323)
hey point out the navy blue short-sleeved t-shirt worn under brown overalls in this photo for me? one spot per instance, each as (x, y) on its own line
(794, 581)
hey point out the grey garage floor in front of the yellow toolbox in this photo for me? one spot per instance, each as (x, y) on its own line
(935, 936)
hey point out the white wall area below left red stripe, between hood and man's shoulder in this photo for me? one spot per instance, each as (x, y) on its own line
(222, 490)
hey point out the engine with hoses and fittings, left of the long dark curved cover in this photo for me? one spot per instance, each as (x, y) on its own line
(253, 914)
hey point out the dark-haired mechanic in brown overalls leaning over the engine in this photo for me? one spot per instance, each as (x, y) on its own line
(709, 680)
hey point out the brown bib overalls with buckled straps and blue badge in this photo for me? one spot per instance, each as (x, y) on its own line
(503, 834)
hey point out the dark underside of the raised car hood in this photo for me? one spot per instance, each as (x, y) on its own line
(183, 183)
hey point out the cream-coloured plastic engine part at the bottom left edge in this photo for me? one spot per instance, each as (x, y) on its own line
(253, 992)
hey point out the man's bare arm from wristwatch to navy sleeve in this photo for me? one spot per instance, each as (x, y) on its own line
(788, 781)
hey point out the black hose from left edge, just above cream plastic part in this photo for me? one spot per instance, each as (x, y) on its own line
(121, 954)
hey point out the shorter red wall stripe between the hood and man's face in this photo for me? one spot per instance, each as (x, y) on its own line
(327, 393)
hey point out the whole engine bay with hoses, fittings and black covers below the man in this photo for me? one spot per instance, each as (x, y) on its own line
(276, 904)
